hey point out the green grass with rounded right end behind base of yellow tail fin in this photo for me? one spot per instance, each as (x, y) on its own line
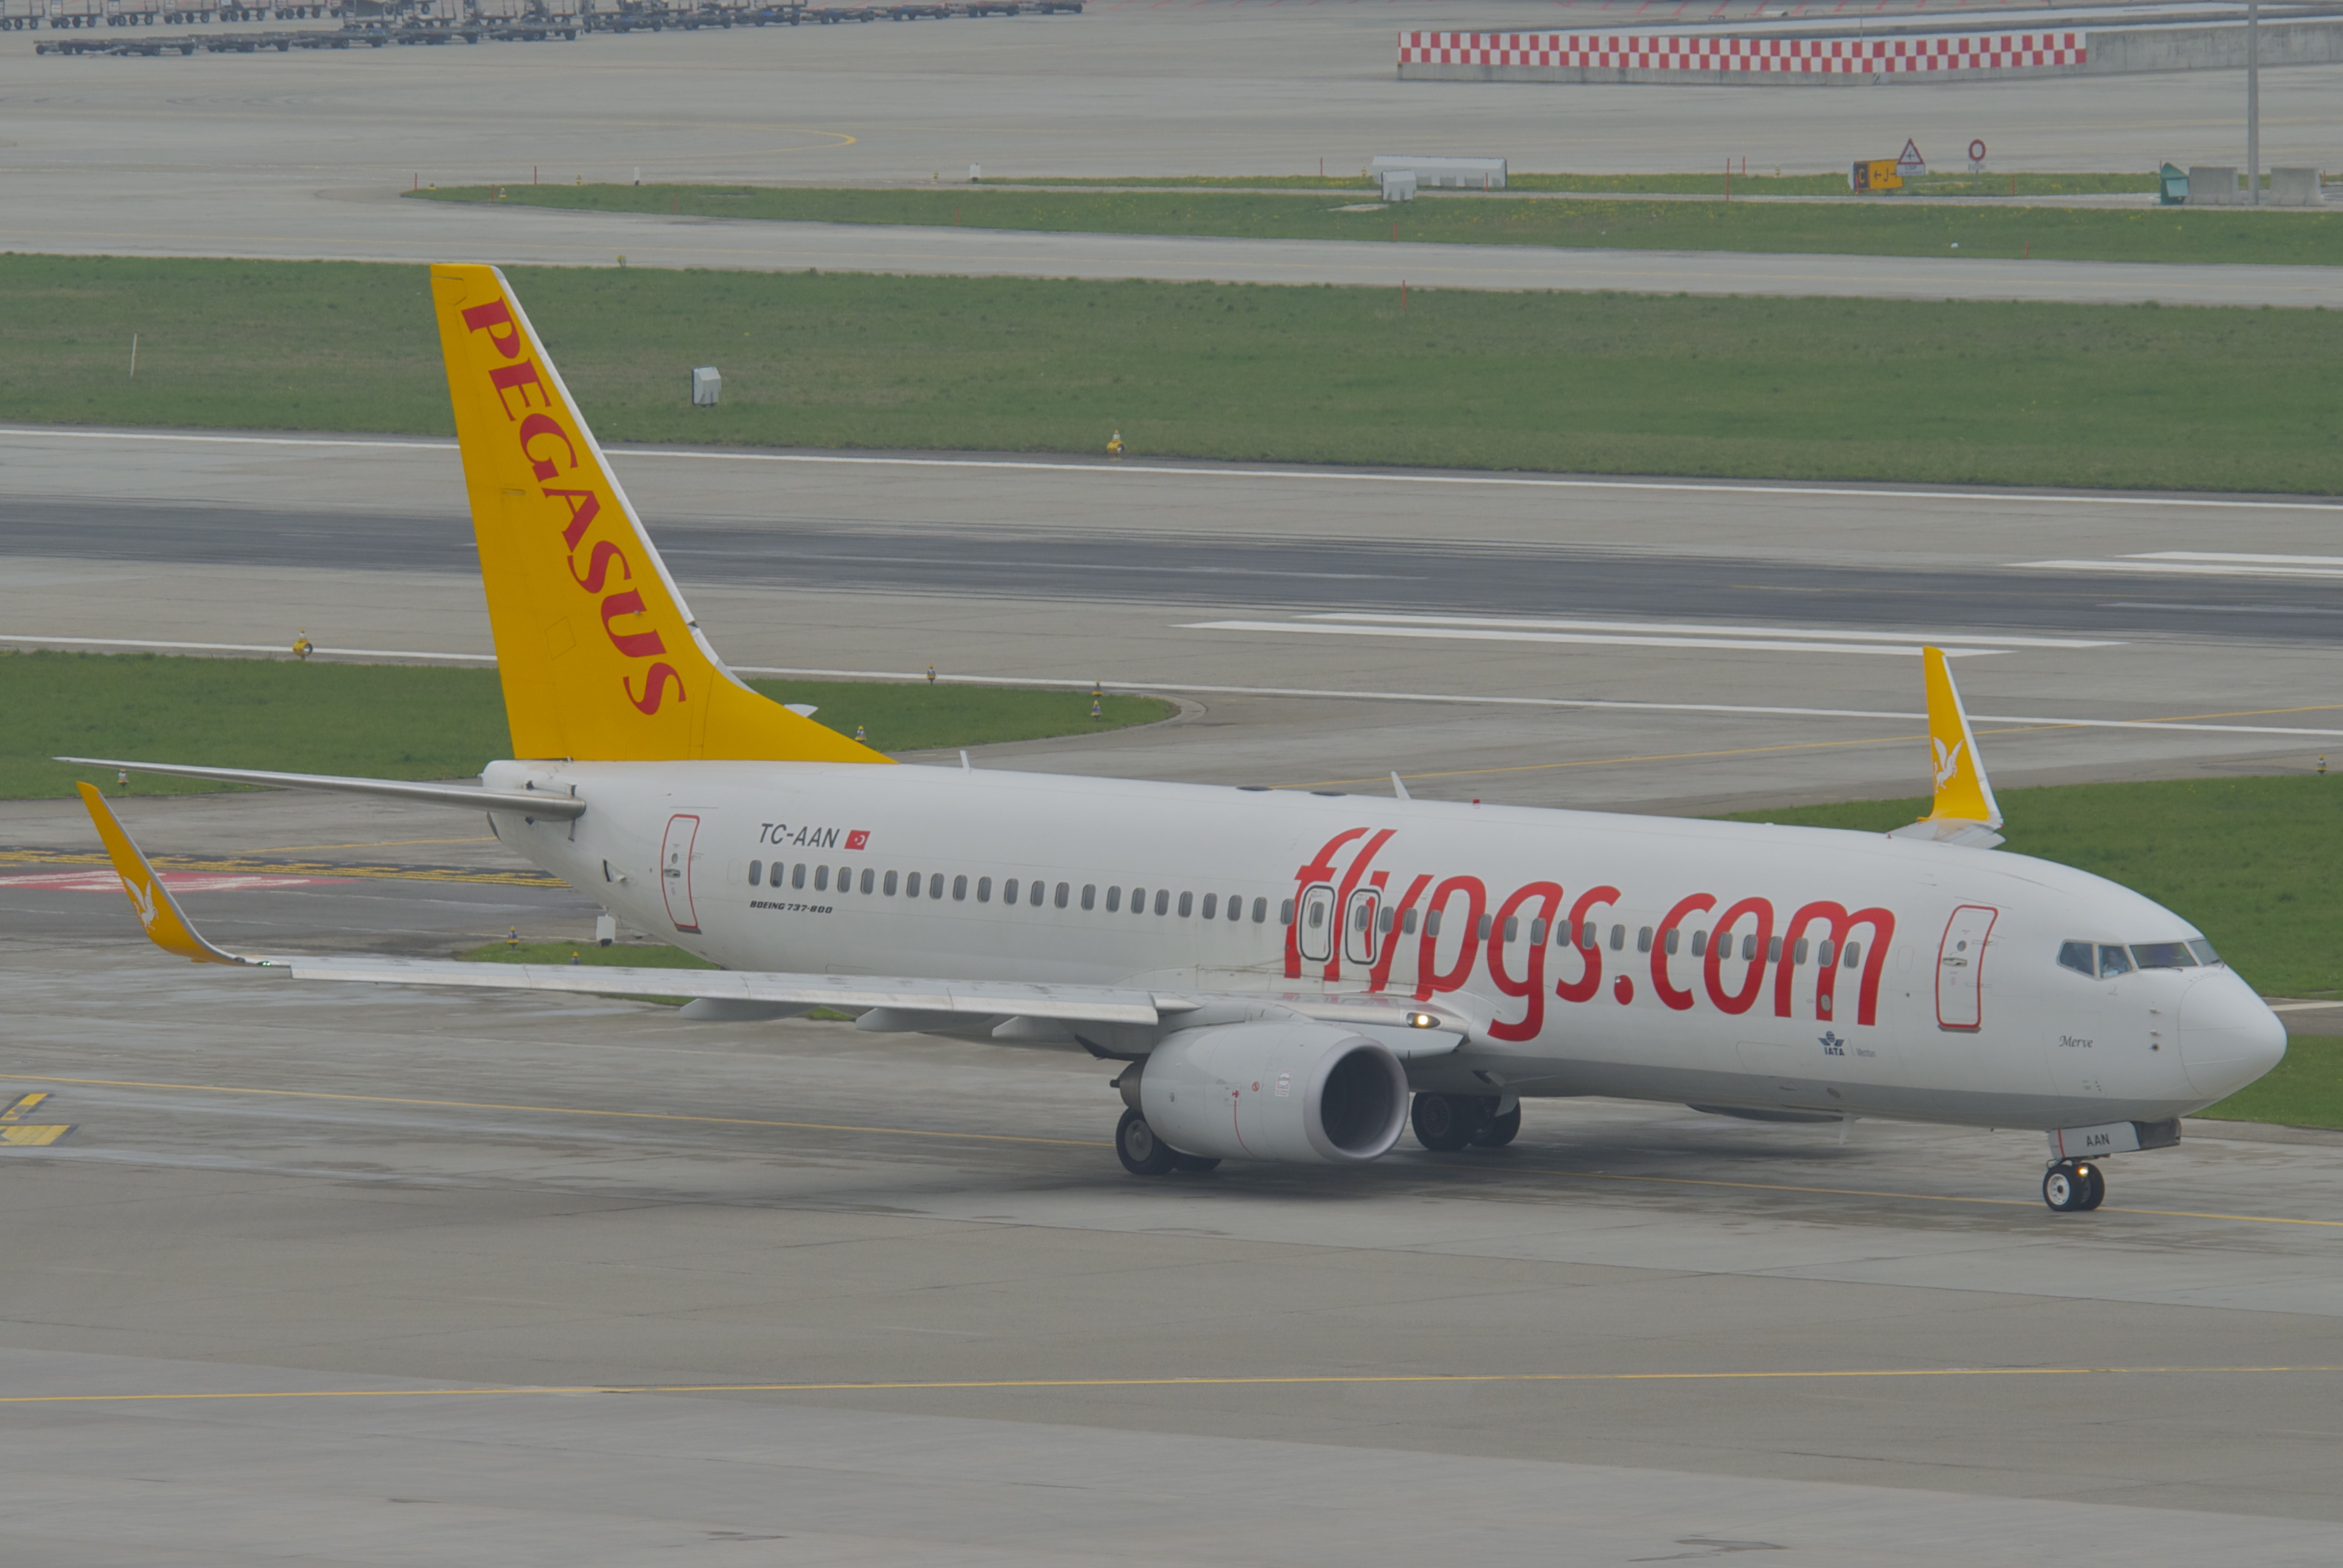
(411, 721)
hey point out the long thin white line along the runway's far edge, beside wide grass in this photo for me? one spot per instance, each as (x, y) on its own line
(1351, 477)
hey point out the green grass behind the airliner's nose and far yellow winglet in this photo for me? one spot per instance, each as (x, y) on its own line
(2253, 861)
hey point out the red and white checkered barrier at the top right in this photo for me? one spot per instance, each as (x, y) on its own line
(1747, 55)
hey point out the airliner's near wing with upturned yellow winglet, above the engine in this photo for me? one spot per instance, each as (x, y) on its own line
(903, 1002)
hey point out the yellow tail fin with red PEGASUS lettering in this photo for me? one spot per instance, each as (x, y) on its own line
(601, 660)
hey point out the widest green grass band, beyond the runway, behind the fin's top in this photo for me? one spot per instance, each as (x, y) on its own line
(1808, 390)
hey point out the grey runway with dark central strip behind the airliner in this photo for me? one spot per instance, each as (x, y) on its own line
(1548, 641)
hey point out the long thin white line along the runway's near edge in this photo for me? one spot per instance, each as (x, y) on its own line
(1447, 700)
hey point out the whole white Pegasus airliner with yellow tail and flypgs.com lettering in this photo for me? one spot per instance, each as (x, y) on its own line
(1276, 974)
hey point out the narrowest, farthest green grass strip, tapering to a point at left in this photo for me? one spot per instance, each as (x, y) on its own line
(1885, 226)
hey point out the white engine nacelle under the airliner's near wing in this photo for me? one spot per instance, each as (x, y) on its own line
(1276, 1091)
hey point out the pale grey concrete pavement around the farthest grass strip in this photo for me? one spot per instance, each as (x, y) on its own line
(306, 156)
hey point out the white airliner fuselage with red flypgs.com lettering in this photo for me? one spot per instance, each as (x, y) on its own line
(1737, 967)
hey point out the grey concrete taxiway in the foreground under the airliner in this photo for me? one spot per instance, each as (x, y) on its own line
(334, 1276)
